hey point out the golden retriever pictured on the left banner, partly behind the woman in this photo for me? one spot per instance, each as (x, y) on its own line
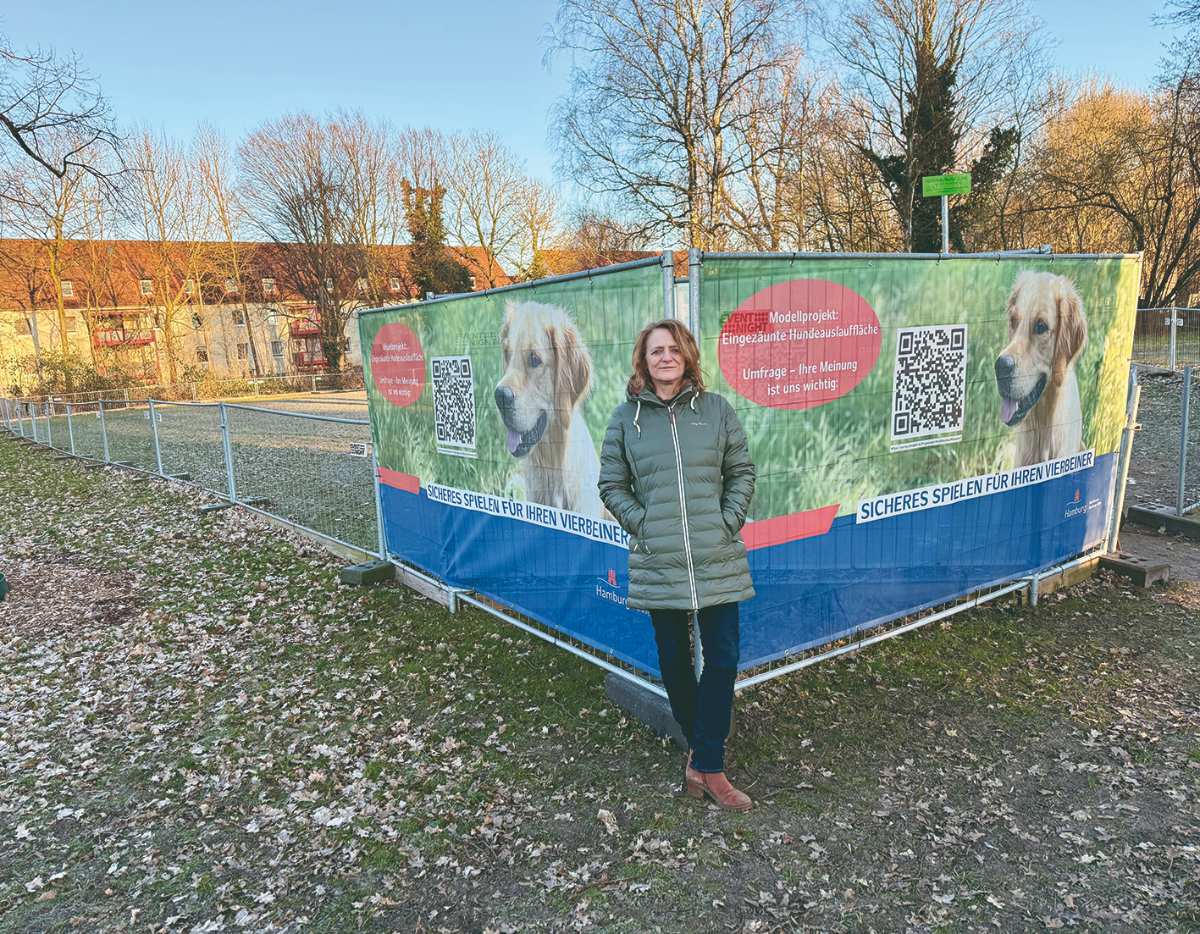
(548, 374)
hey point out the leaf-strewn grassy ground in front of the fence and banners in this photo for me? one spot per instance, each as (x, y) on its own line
(201, 731)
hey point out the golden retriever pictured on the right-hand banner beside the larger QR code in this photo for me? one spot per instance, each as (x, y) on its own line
(1036, 372)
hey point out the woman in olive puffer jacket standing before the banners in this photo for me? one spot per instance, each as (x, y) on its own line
(676, 474)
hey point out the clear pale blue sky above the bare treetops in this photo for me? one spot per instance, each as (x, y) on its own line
(454, 65)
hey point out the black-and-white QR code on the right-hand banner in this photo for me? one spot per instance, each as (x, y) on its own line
(931, 385)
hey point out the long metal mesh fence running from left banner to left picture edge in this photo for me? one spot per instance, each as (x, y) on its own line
(314, 471)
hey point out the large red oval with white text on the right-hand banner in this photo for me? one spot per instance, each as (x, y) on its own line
(800, 344)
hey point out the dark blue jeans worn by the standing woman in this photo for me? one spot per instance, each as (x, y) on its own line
(704, 710)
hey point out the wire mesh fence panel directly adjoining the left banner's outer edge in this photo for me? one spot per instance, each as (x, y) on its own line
(313, 471)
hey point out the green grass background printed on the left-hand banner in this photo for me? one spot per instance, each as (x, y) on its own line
(609, 312)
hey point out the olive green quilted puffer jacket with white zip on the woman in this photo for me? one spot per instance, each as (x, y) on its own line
(677, 477)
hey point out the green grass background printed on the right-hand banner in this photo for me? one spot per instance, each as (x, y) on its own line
(839, 453)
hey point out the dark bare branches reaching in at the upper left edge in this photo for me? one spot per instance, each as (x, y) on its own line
(46, 100)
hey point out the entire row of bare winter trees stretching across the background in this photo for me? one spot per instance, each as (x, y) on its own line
(719, 124)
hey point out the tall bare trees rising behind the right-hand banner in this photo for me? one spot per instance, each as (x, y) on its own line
(765, 125)
